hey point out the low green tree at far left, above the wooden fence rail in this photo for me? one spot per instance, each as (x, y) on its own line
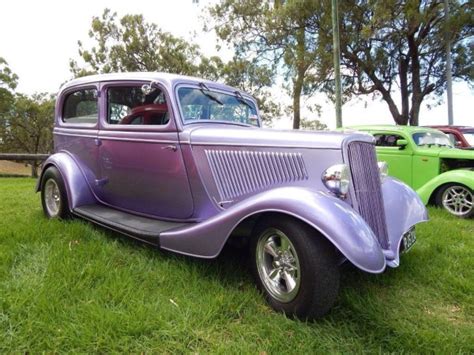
(28, 126)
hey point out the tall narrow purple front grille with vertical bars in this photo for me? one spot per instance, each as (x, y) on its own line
(367, 189)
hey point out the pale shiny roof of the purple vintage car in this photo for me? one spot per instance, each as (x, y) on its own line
(168, 79)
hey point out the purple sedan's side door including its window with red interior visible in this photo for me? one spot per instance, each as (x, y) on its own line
(141, 164)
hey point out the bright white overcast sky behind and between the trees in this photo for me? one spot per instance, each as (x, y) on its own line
(38, 38)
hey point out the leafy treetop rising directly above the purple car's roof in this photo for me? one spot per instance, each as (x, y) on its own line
(132, 44)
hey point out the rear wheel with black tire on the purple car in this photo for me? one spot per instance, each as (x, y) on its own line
(54, 194)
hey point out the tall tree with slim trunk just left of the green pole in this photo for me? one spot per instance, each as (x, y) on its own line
(276, 33)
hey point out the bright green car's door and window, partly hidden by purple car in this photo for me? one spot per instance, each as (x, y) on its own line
(399, 159)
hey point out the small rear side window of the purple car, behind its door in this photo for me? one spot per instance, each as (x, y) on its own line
(81, 107)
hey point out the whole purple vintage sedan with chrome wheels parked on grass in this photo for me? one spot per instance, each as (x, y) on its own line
(183, 164)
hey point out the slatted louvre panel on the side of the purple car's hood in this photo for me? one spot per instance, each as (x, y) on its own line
(238, 172)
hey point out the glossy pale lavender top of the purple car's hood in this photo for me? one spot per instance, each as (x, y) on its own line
(225, 134)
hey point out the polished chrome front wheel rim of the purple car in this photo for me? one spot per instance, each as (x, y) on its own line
(278, 265)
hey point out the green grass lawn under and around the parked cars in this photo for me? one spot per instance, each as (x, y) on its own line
(71, 286)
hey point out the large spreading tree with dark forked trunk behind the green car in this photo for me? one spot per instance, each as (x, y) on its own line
(399, 46)
